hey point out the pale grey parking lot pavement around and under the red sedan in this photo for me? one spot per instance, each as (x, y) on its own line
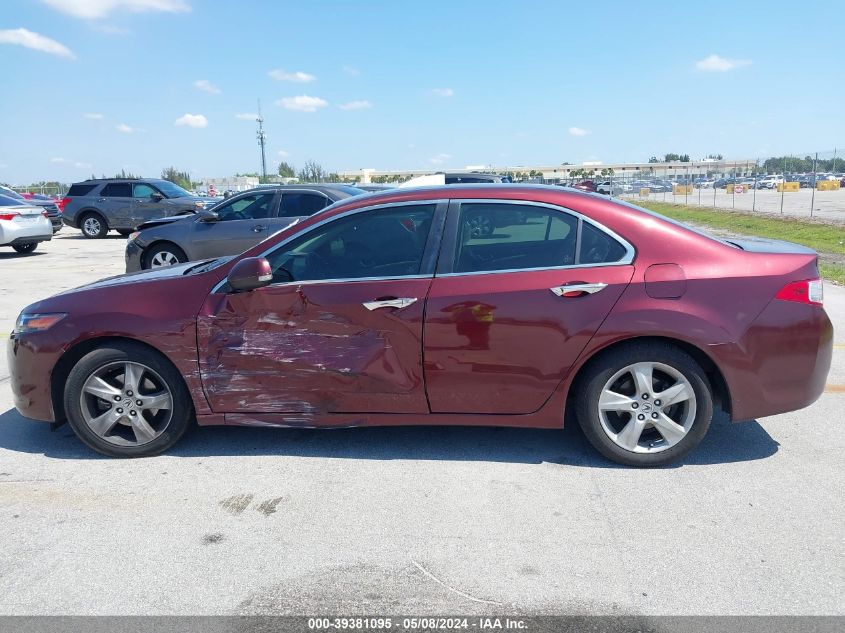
(413, 520)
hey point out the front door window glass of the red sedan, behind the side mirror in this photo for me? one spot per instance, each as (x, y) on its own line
(387, 242)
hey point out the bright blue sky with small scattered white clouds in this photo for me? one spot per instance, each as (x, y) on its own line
(100, 85)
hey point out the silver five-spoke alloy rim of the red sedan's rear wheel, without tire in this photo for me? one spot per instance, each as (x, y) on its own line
(647, 407)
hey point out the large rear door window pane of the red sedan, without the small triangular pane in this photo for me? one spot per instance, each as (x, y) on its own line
(499, 236)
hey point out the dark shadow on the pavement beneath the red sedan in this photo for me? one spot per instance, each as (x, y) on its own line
(726, 442)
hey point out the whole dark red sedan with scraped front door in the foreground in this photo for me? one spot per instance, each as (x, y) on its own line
(387, 309)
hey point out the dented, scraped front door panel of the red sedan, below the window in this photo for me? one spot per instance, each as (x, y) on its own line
(352, 346)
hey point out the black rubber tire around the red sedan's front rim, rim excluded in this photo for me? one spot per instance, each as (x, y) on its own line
(182, 412)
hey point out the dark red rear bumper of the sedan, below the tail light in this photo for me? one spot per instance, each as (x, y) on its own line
(780, 364)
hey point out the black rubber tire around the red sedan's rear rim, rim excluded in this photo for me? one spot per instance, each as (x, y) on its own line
(591, 383)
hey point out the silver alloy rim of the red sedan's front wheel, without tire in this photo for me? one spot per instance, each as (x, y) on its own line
(126, 403)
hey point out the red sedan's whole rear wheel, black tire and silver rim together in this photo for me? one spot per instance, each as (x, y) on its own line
(646, 404)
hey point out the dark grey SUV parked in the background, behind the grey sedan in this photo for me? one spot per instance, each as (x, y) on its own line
(123, 204)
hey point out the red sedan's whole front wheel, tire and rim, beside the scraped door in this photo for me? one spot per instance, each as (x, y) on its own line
(126, 400)
